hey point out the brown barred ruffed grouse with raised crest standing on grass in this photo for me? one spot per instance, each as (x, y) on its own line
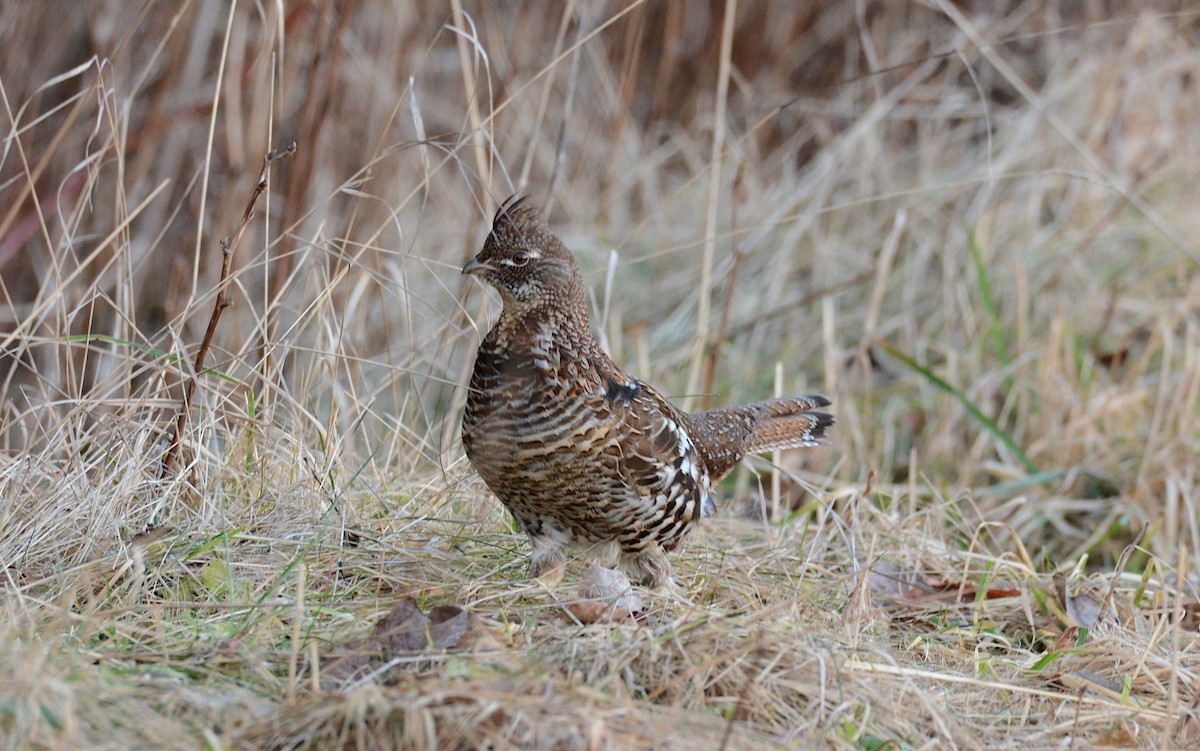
(580, 453)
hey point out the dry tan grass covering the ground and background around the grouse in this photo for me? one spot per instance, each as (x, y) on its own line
(975, 231)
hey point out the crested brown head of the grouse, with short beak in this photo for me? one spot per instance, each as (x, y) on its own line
(525, 261)
